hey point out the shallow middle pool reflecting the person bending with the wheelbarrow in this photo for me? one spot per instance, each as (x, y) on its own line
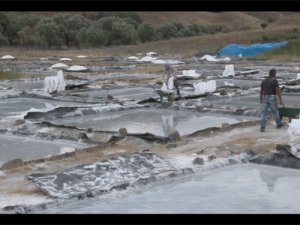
(156, 121)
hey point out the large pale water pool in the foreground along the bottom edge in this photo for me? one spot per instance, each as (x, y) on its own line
(237, 189)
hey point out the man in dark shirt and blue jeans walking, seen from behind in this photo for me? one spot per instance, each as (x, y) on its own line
(269, 91)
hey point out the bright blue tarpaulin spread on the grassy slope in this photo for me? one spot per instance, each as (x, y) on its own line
(248, 50)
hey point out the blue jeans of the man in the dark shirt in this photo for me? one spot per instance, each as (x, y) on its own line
(269, 101)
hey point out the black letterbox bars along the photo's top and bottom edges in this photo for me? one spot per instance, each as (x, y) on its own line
(150, 5)
